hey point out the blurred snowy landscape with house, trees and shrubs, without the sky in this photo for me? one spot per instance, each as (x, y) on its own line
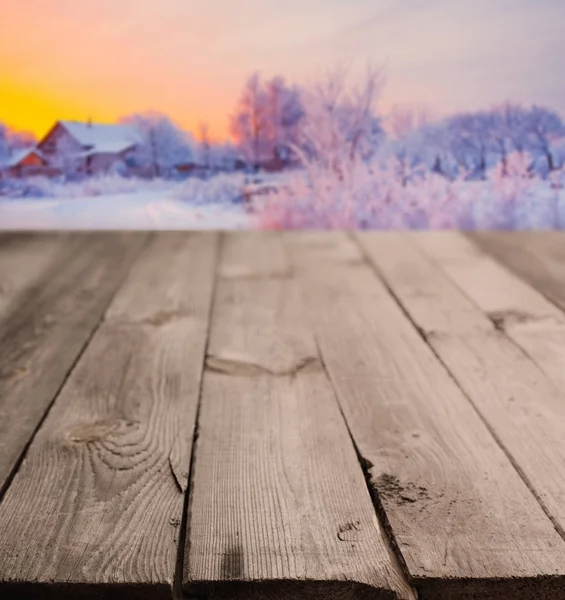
(316, 156)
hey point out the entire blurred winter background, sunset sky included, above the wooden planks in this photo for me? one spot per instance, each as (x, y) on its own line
(384, 114)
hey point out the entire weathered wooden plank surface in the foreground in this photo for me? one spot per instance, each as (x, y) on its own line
(265, 415)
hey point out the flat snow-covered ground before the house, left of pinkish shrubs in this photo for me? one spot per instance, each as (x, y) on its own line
(186, 205)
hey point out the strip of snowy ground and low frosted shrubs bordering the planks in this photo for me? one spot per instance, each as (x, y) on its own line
(364, 198)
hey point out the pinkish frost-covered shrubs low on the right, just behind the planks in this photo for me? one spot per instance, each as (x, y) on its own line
(376, 197)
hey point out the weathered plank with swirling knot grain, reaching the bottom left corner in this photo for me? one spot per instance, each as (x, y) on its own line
(96, 507)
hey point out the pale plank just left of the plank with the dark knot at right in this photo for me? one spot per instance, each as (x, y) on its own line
(524, 410)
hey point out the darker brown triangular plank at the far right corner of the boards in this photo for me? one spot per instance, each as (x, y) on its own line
(537, 257)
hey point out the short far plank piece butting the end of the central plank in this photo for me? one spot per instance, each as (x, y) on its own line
(253, 254)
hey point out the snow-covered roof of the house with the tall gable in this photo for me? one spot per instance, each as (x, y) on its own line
(103, 138)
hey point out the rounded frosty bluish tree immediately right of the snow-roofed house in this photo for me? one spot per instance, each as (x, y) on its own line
(163, 145)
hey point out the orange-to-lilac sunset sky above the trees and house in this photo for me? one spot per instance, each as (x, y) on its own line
(75, 59)
